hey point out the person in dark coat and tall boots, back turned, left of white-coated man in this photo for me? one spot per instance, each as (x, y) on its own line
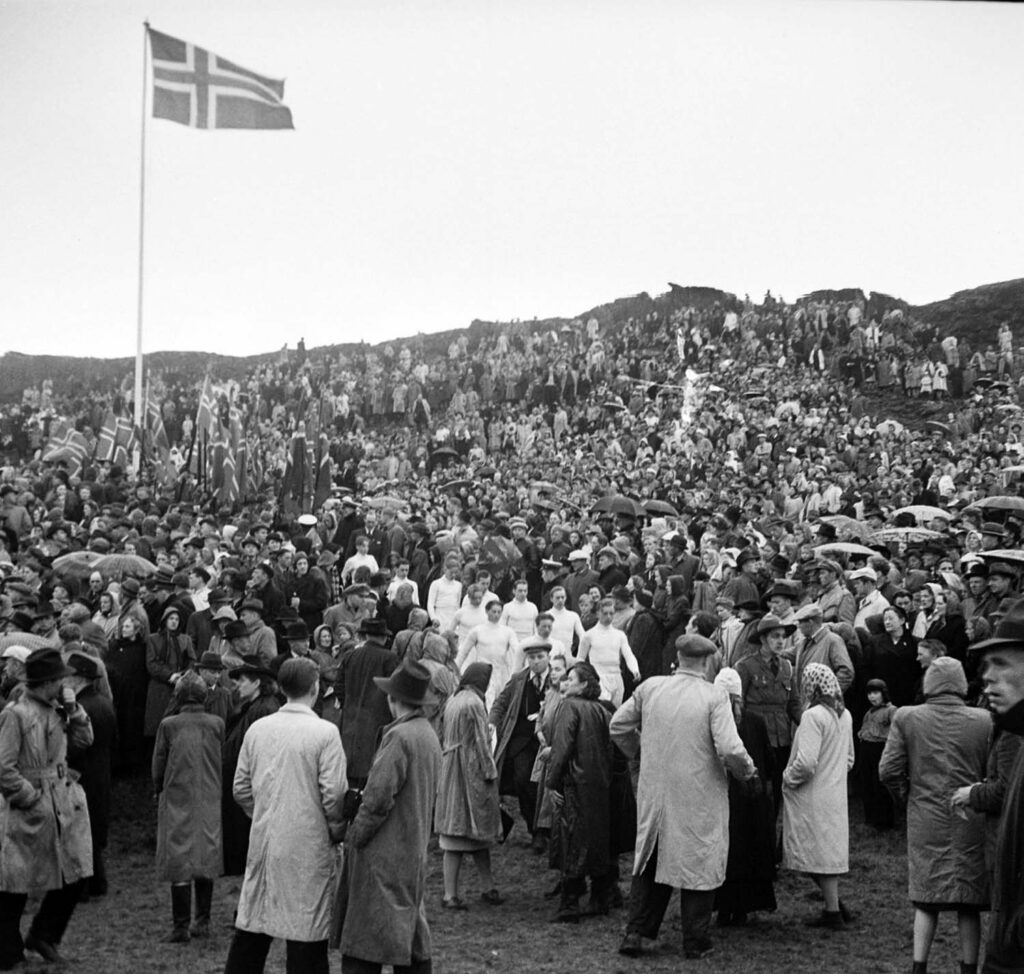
(187, 763)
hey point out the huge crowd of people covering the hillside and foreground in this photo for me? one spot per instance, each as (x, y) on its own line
(674, 585)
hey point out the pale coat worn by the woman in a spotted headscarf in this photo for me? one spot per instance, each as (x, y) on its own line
(816, 813)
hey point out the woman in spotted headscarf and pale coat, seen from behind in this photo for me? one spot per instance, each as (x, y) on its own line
(816, 817)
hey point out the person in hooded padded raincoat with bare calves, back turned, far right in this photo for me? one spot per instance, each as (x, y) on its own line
(934, 749)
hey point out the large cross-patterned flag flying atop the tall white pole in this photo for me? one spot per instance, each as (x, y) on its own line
(196, 88)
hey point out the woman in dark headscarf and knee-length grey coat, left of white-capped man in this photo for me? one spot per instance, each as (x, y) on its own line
(466, 814)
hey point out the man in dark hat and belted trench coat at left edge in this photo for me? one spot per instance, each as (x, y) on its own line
(45, 836)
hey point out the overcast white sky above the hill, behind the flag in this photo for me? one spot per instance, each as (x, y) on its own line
(497, 159)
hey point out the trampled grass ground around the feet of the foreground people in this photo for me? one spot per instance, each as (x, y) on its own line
(121, 934)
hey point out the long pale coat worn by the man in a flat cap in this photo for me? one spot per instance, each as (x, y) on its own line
(690, 740)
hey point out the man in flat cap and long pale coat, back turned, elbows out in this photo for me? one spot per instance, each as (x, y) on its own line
(684, 729)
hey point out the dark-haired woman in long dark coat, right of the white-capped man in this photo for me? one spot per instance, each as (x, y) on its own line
(580, 778)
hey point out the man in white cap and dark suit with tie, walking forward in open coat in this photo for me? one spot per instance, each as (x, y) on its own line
(515, 718)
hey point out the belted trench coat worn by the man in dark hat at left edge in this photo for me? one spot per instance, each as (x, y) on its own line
(45, 822)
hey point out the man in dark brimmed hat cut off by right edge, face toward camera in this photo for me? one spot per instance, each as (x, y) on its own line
(1003, 672)
